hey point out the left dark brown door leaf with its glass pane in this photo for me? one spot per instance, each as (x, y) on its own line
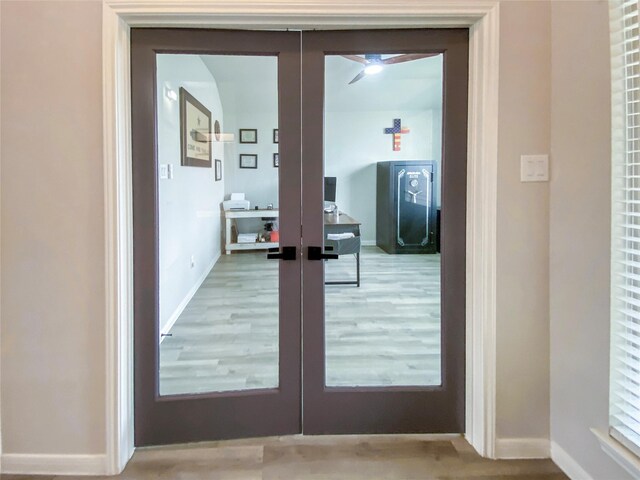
(223, 361)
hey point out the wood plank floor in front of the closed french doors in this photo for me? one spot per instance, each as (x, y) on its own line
(359, 457)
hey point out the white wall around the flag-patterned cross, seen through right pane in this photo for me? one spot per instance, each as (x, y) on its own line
(354, 144)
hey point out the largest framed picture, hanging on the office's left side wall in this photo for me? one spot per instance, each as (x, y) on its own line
(195, 132)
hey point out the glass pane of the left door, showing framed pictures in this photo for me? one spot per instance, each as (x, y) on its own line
(218, 212)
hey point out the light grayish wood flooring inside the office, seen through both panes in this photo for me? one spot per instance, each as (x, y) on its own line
(385, 333)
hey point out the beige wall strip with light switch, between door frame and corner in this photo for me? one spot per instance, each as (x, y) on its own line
(523, 221)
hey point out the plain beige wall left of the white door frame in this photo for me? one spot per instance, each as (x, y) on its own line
(53, 291)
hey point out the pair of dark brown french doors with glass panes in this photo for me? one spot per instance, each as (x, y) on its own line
(344, 154)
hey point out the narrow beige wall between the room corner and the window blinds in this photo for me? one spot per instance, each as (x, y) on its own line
(580, 232)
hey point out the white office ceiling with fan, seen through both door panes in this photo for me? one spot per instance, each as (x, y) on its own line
(248, 84)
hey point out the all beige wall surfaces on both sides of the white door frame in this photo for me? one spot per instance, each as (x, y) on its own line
(52, 300)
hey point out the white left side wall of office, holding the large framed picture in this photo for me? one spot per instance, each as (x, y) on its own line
(189, 203)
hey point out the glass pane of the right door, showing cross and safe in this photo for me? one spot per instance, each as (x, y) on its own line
(382, 157)
